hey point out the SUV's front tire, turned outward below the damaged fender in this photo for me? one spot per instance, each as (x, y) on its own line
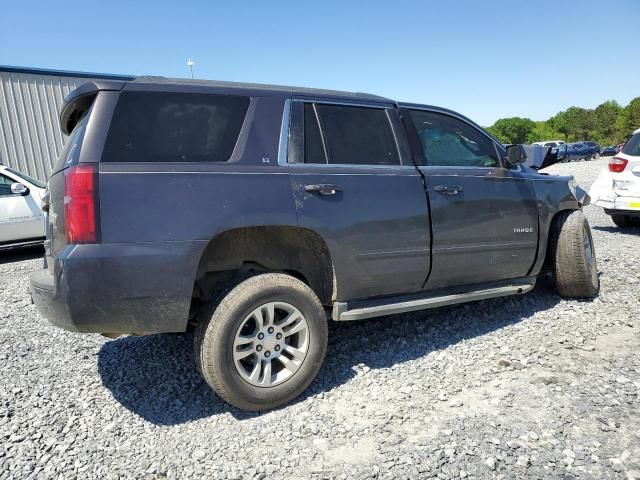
(573, 255)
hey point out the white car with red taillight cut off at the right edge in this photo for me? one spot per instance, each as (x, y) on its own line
(617, 188)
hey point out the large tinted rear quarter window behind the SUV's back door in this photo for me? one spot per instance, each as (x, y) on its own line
(174, 127)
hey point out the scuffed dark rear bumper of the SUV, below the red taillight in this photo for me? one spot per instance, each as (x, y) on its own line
(119, 288)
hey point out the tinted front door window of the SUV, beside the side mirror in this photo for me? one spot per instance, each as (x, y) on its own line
(448, 141)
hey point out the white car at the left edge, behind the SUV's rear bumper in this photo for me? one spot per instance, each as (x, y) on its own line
(21, 218)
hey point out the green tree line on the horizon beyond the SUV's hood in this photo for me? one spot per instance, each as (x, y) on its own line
(608, 124)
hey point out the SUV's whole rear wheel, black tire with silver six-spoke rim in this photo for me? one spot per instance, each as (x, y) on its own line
(264, 343)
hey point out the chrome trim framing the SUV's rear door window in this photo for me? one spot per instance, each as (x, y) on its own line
(405, 163)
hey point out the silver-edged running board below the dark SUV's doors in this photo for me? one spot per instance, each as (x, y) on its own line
(359, 310)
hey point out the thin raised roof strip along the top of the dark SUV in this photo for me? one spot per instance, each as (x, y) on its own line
(257, 87)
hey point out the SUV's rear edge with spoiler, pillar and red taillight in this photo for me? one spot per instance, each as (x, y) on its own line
(75, 170)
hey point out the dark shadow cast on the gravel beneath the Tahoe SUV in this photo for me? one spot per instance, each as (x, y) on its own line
(155, 377)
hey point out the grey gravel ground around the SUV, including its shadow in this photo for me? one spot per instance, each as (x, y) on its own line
(530, 386)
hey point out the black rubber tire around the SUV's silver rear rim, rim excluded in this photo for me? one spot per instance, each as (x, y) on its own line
(214, 339)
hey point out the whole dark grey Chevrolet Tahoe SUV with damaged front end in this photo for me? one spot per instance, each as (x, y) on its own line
(253, 214)
